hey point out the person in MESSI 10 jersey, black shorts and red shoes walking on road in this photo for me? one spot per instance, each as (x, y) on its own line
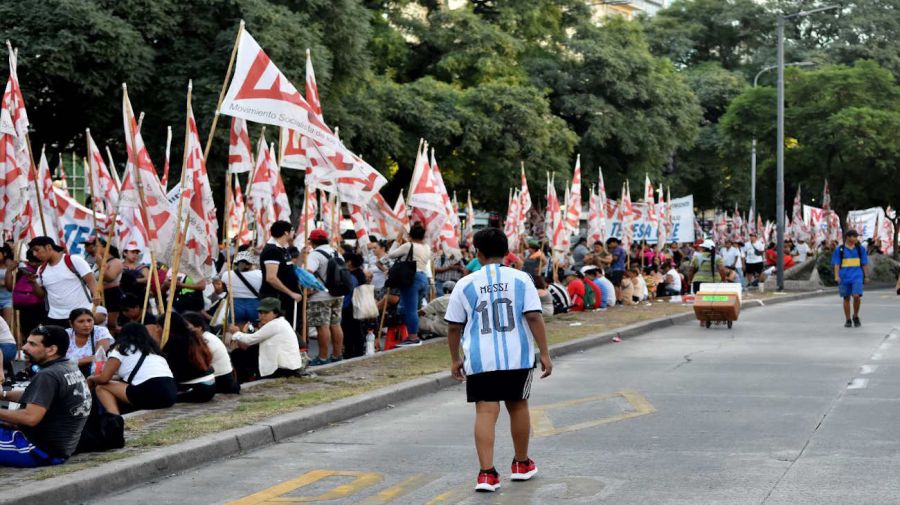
(495, 316)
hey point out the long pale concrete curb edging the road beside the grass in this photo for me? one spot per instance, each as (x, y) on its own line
(118, 476)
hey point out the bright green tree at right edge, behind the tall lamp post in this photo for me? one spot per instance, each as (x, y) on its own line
(844, 121)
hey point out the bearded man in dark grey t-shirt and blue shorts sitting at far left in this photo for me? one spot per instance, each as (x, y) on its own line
(57, 403)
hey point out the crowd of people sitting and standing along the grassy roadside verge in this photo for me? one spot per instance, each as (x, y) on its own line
(93, 329)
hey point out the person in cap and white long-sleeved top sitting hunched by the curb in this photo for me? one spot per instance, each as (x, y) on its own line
(275, 344)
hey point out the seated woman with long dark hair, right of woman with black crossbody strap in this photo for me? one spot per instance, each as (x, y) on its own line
(191, 362)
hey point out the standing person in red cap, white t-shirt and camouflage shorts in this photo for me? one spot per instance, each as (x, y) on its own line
(324, 311)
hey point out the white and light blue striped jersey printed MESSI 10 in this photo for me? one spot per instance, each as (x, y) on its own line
(492, 304)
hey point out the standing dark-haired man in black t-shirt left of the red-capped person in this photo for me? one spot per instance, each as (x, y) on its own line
(279, 279)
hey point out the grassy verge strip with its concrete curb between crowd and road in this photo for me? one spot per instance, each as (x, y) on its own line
(164, 442)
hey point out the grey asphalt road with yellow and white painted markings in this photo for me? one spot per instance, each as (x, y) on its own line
(788, 407)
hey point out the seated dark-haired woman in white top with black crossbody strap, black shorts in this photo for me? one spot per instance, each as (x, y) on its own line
(148, 381)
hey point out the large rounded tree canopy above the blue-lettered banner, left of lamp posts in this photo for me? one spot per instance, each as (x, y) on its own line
(630, 110)
